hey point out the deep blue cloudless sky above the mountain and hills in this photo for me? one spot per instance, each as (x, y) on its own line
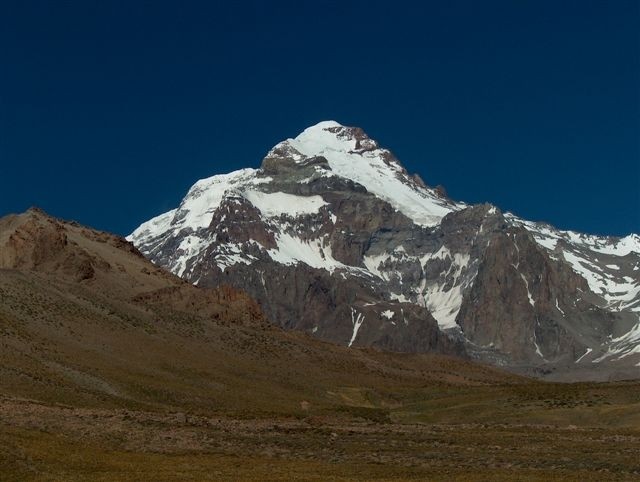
(109, 111)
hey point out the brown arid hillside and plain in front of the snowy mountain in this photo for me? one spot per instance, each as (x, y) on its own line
(113, 369)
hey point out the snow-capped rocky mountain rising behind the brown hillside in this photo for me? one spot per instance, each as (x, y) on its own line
(333, 237)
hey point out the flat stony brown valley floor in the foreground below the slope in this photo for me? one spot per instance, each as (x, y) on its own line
(55, 442)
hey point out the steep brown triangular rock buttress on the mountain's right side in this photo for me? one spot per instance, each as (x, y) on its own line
(526, 306)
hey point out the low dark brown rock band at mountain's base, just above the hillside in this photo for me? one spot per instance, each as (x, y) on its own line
(313, 301)
